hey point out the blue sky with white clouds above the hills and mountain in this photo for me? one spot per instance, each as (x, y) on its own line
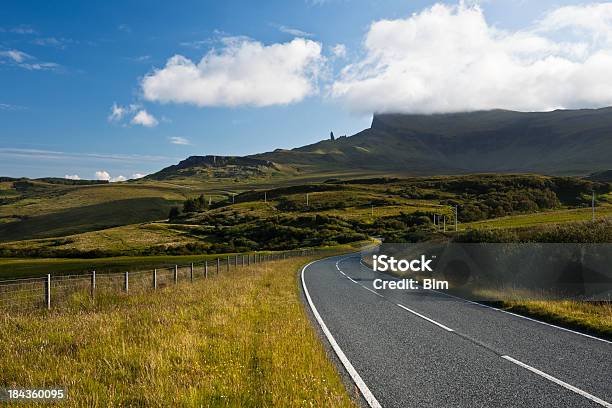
(64, 65)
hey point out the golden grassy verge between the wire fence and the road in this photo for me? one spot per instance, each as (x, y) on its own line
(241, 339)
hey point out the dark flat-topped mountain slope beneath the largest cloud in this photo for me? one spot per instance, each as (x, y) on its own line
(575, 142)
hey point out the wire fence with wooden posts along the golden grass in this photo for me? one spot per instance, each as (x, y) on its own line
(51, 291)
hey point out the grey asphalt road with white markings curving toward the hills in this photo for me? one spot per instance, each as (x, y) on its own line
(439, 351)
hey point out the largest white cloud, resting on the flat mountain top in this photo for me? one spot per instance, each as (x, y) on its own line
(448, 58)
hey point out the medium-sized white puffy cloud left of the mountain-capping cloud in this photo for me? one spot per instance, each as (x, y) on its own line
(244, 72)
